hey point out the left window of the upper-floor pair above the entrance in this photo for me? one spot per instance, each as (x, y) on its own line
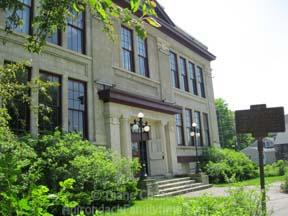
(127, 49)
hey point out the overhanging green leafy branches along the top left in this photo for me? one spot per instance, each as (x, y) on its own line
(53, 16)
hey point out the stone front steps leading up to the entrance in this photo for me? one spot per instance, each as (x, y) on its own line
(177, 186)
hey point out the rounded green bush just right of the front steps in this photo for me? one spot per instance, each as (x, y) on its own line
(227, 165)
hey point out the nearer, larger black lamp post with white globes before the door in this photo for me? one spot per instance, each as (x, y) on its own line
(139, 127)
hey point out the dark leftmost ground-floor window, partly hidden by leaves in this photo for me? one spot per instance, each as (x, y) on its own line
(18, 109)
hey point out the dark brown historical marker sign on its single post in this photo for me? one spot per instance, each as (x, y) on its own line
(259, 121)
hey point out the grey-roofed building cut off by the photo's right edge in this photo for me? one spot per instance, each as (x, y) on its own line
(281, 143)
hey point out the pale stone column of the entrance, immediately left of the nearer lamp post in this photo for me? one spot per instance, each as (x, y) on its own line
(125, 138)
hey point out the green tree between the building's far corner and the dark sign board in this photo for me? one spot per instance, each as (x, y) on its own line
(227, 131)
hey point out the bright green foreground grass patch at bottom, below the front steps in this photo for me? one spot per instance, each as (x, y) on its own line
(153, 207)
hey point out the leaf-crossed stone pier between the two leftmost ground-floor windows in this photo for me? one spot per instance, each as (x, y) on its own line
(34, 102)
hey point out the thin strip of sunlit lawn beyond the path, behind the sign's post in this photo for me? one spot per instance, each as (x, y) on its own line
(252, 182)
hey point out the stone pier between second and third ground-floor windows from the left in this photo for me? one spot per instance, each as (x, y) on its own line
(64, 98)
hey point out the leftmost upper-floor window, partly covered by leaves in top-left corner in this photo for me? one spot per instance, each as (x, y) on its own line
(25, 15)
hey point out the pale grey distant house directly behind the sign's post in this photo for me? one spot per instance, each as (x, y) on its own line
(269, 151)
